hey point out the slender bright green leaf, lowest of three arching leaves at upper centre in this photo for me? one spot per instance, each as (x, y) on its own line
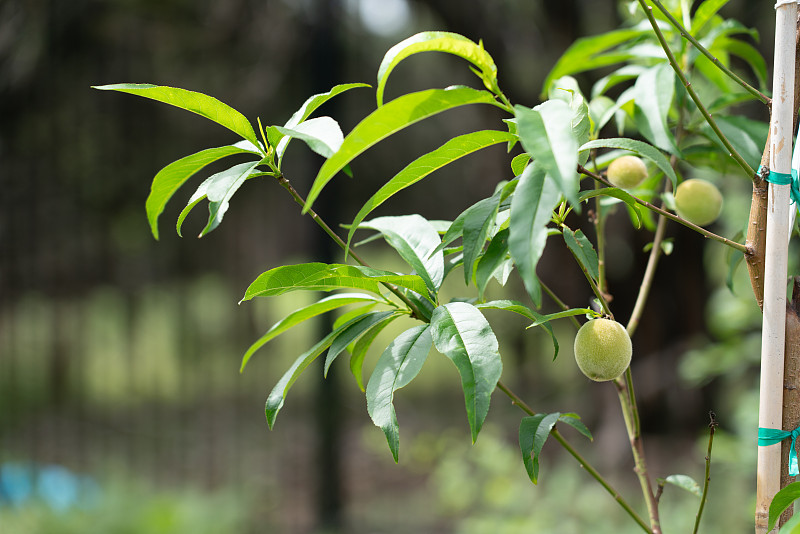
(421, 167)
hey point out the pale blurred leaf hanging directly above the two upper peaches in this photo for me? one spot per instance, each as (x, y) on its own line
(654, 91)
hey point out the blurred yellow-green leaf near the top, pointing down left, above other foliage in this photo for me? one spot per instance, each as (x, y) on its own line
(592, 52)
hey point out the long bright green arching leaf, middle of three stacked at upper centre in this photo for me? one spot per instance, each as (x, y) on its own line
(391, 118)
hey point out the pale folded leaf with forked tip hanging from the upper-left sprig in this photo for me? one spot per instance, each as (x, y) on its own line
(218, 189)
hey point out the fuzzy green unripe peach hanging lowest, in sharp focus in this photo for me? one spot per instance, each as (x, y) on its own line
(603, 349)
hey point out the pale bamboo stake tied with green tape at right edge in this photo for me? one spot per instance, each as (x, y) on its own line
(774, 323)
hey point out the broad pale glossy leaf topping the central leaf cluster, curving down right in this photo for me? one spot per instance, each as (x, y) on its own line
(415, 239)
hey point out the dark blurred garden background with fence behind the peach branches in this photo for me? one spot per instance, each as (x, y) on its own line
(119, 355)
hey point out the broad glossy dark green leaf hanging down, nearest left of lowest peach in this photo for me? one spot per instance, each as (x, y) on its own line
(461, 333)
